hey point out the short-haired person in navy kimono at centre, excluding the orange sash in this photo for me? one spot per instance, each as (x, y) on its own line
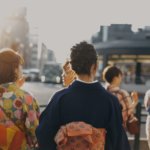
(86, 101)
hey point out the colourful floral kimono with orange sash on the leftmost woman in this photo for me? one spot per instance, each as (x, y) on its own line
(21, 114)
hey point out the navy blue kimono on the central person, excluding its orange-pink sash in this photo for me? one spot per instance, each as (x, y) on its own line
(88, 102)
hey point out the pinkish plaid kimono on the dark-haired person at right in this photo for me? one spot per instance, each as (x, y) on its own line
(125, 101)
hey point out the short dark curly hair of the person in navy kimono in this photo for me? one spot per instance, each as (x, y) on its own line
(83, 56)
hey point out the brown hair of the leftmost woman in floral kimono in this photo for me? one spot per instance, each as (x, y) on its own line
(9, 65)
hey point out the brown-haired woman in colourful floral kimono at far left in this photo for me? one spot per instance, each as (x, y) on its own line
(19, 111)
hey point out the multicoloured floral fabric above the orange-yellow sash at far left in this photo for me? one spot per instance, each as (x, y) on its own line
(21, 107)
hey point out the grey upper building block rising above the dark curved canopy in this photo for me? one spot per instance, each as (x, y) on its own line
(120, 32)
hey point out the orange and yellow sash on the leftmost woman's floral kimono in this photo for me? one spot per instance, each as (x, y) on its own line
(11, 138)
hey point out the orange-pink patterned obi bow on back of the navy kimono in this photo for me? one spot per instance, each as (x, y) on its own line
(80, 136)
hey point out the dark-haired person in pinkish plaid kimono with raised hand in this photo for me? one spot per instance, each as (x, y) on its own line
(113, 77)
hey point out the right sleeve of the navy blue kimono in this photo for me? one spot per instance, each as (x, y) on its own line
(116, 137)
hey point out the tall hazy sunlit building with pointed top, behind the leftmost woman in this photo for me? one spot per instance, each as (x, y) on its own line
(14, 33)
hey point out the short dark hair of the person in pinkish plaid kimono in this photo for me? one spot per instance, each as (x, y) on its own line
(110, 72)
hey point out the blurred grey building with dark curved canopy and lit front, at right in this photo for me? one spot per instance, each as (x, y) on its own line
(118, 44)
